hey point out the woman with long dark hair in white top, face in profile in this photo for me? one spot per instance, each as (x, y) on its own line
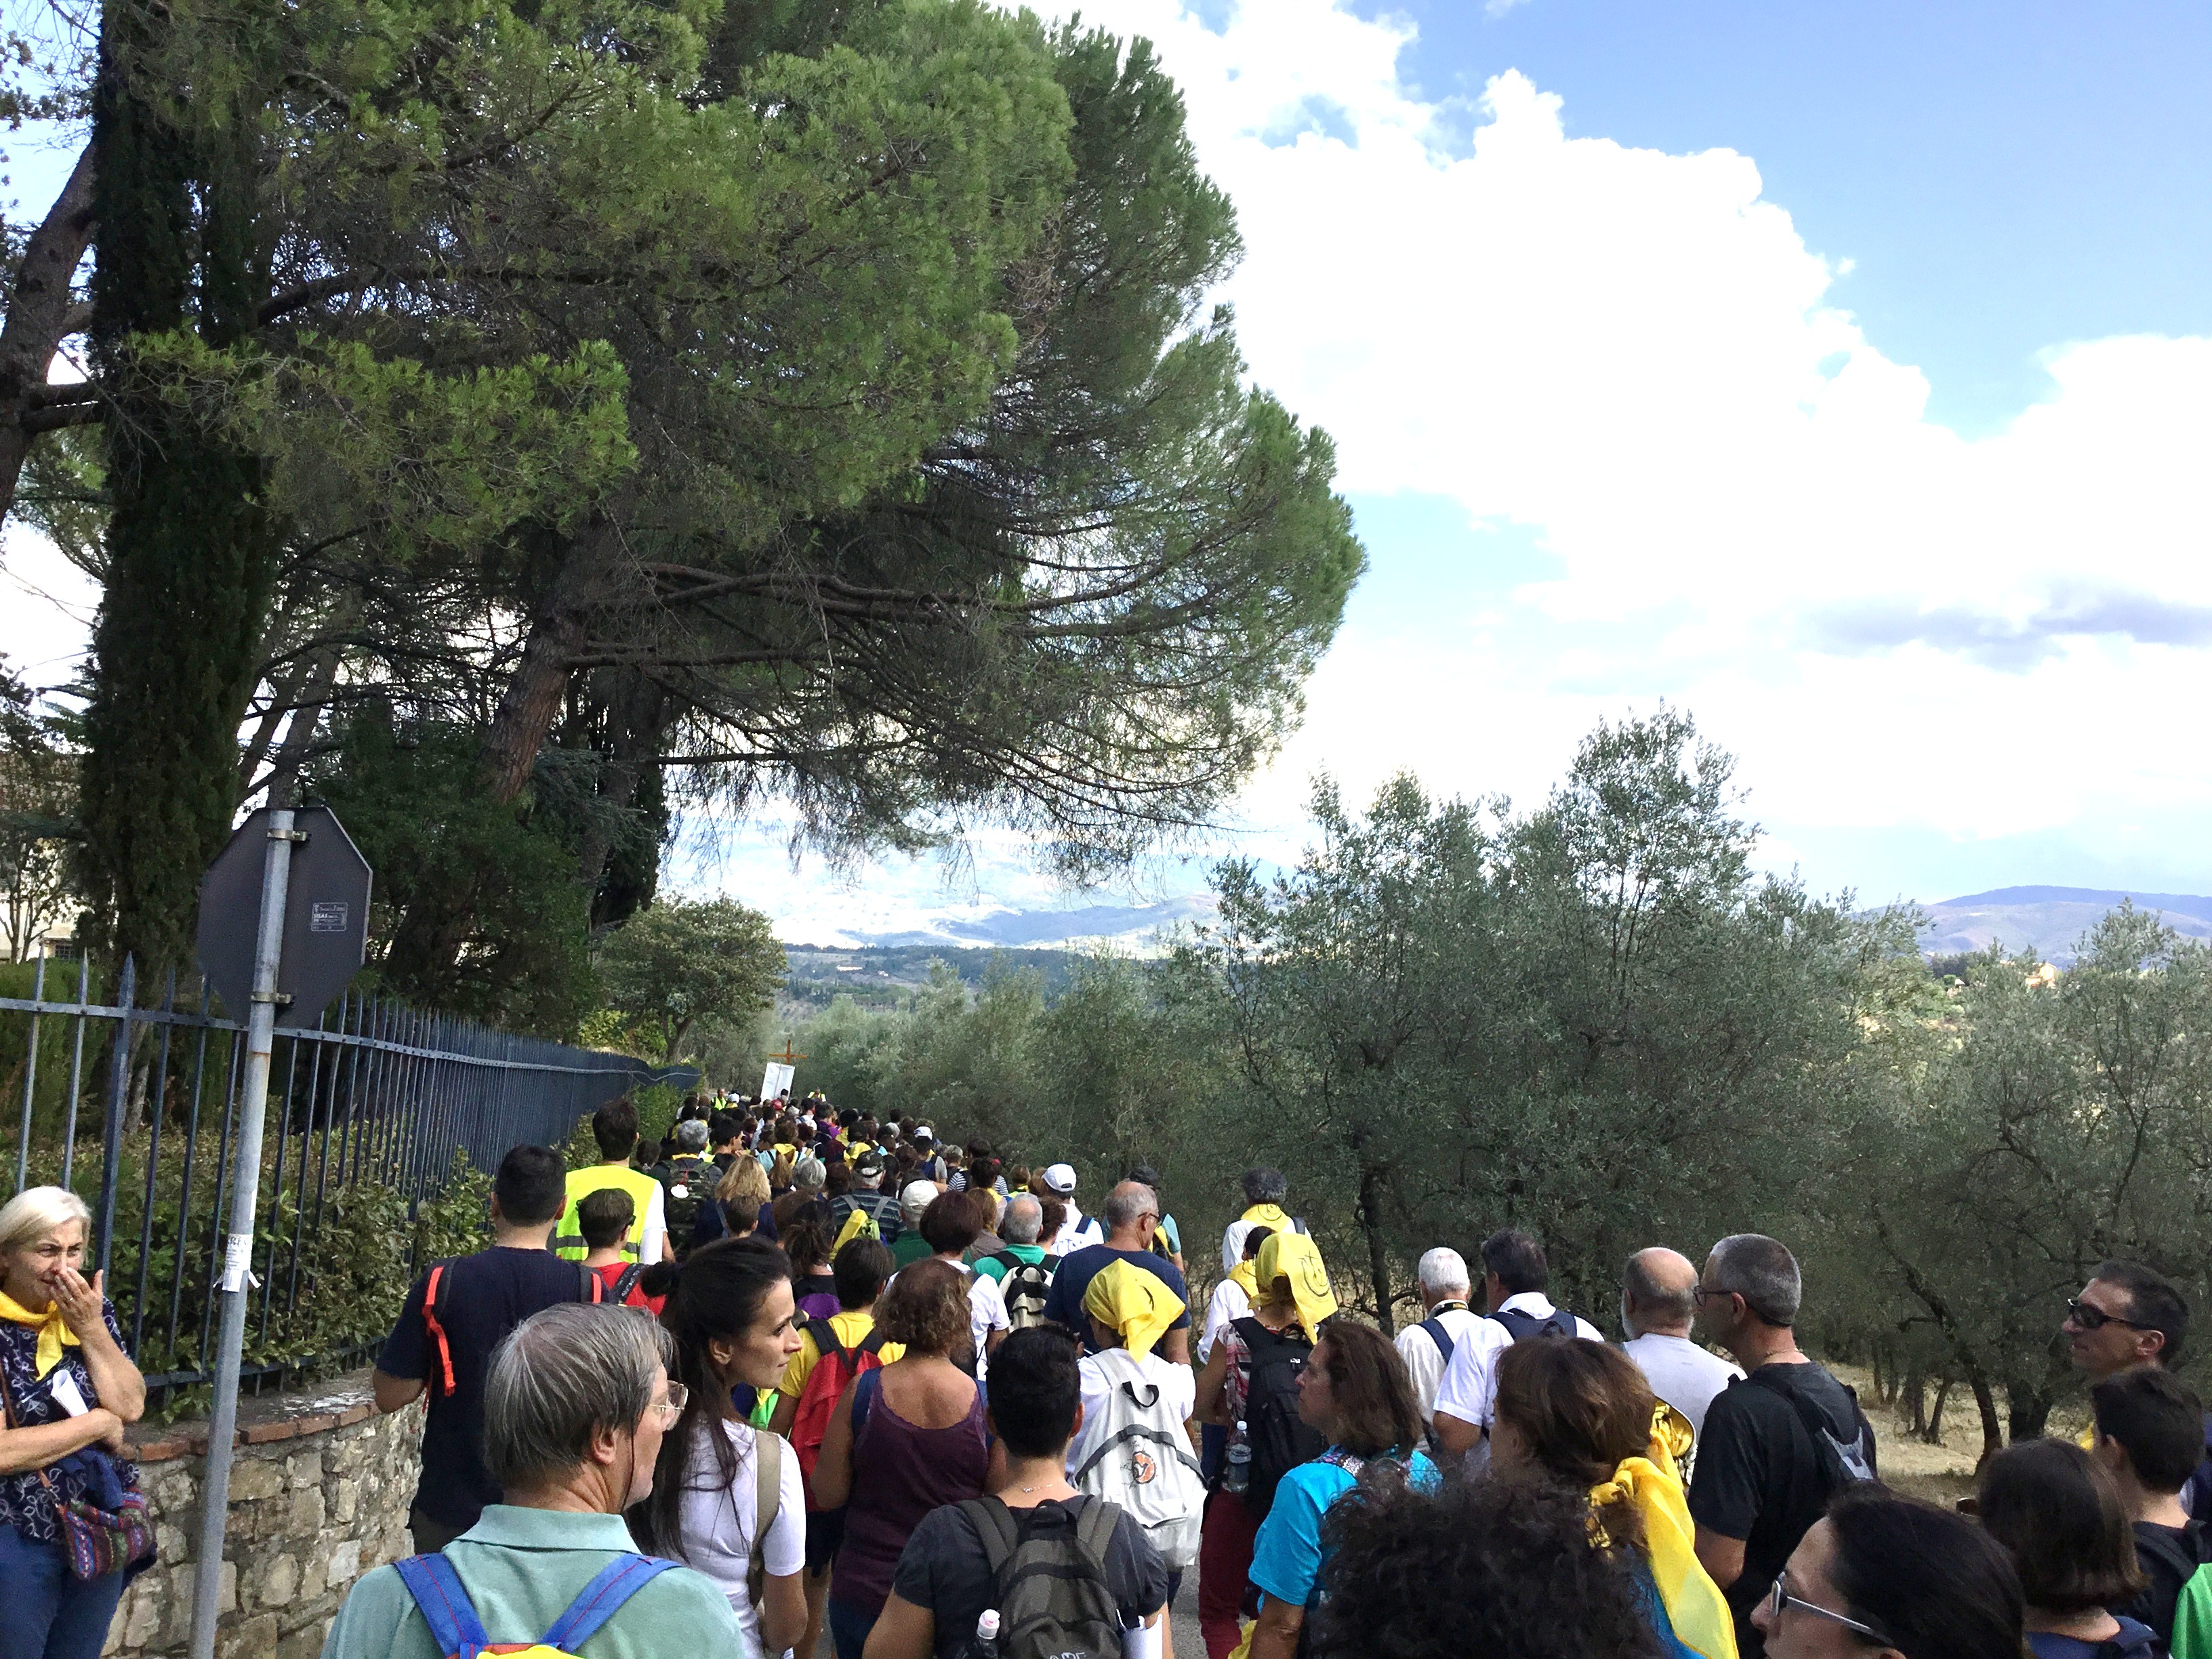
(731, 1313)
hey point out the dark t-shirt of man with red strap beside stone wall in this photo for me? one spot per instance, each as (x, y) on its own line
(479, 1302)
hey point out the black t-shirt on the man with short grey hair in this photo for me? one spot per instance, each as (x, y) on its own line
(1762, 1479)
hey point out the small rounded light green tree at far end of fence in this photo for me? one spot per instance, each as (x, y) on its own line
(682, 961)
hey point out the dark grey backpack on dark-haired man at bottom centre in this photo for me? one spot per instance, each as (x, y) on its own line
(1050, 1565)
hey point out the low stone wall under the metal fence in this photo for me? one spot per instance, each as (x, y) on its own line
(320, 1490)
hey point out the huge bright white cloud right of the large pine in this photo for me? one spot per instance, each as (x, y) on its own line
(1638, 357)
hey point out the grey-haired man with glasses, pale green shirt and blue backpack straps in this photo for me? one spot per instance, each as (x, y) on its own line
(576, 1406)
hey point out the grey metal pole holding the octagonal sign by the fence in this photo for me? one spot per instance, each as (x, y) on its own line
(240, 1244)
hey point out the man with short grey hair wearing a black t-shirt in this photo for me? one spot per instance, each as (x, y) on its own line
(1780, 1443)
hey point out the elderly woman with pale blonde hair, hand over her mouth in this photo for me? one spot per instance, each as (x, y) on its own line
(70, 1392)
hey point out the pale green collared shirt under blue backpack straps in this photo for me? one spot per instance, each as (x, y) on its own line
(523, 1567)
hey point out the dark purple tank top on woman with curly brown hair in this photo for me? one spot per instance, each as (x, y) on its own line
(899, 1474)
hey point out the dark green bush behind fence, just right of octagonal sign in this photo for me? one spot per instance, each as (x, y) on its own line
(510, 924)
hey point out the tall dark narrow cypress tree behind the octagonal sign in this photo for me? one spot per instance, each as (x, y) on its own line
(189, 545)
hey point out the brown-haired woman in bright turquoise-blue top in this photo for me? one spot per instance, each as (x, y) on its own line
(1357, 1392)
